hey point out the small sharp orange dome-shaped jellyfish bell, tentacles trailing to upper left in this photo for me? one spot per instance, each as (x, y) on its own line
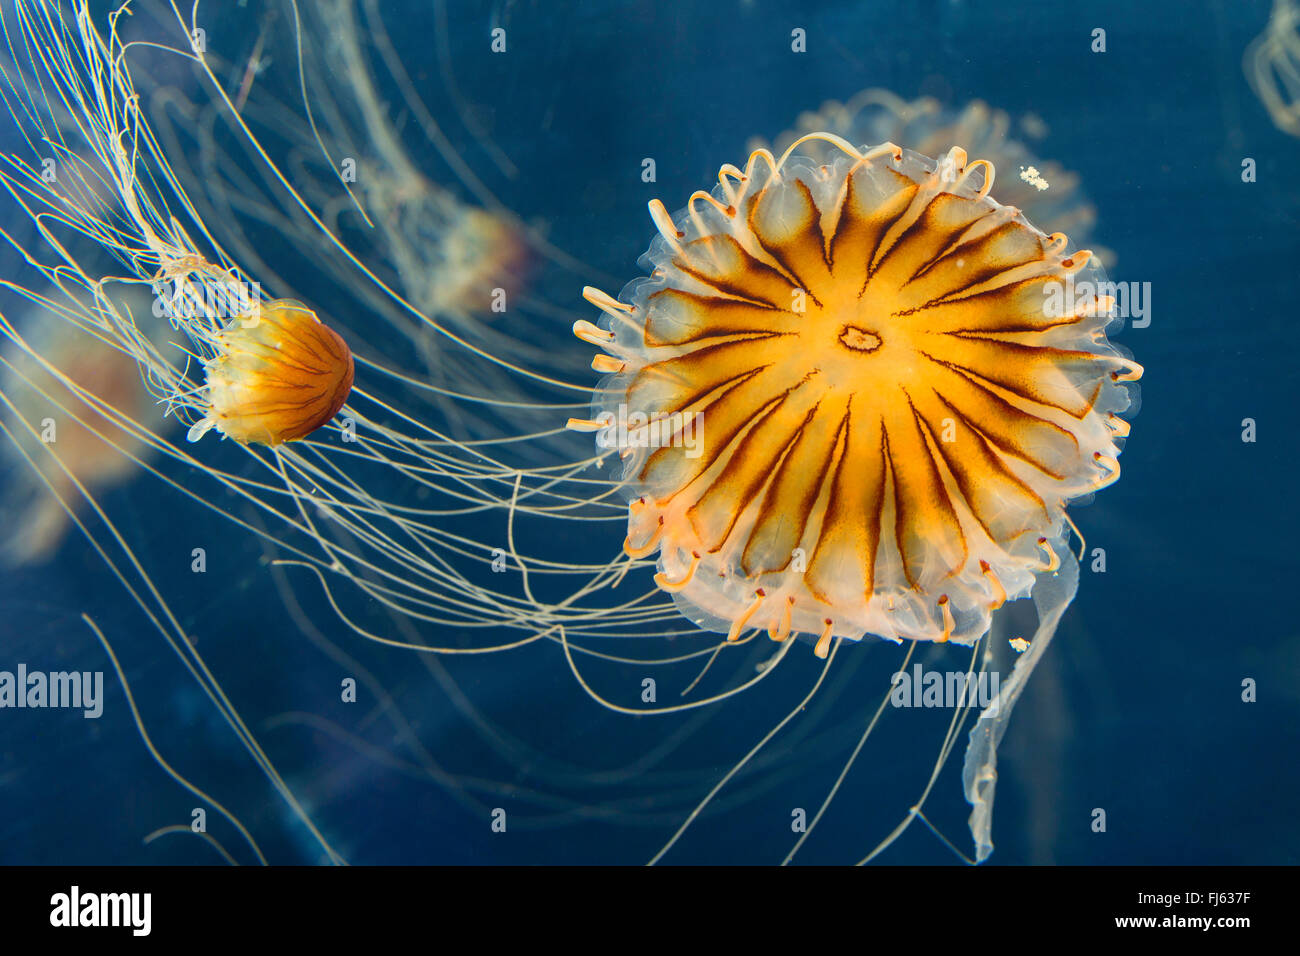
(279, 375)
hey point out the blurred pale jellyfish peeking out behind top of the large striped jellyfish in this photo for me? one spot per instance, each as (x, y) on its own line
(1047, 193)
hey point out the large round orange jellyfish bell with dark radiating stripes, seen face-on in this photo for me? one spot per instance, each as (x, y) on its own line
(855, 397)
